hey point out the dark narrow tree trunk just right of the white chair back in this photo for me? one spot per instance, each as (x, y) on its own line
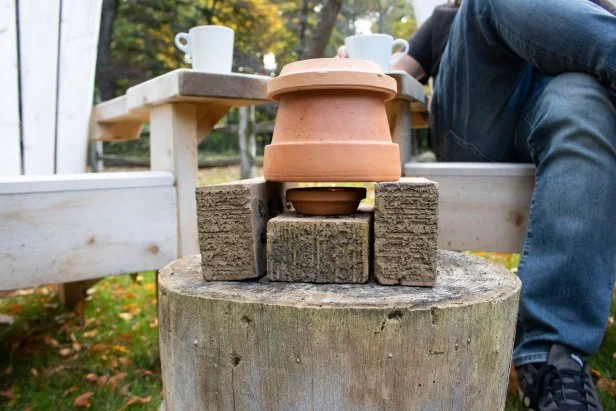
(105, 83)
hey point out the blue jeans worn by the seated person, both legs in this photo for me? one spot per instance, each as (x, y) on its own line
(535, 81)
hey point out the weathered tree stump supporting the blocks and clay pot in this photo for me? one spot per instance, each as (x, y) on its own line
(262, 345)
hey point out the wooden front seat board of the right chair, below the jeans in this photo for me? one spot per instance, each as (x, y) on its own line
(482, 207)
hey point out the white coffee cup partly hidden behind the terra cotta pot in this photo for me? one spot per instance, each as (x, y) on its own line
(375, 47)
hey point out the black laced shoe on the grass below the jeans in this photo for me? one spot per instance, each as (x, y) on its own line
(563, 383)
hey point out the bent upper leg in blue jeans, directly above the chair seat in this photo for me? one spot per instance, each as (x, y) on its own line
(494, 49)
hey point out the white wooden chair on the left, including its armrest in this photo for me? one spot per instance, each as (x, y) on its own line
(69, 228)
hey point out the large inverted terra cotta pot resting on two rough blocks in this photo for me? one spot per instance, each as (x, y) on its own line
(331, 123)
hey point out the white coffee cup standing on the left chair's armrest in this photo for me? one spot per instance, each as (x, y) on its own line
(210, 48)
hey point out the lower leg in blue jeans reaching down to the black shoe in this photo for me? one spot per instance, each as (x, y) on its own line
(568, 262)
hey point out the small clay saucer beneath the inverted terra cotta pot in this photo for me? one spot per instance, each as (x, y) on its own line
(326, 200)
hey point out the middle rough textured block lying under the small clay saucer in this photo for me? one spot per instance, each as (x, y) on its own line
(319, 249)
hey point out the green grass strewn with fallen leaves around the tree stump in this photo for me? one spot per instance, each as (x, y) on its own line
(104, 355)
